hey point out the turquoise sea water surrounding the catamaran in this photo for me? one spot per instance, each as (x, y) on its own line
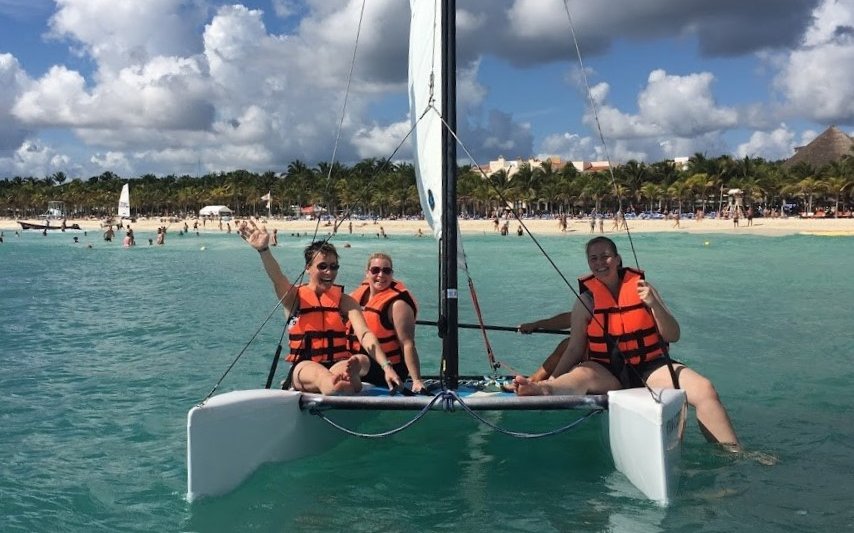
(104, 350)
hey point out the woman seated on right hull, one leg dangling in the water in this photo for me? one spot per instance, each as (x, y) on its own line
(647, 326)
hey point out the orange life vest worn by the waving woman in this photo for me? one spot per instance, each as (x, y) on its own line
(319, 332)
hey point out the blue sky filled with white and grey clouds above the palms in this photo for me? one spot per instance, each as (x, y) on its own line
(171, 86)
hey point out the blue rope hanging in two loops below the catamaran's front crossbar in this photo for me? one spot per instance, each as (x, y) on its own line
(448, 399)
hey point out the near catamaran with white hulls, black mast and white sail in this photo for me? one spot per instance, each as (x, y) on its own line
(230, 435)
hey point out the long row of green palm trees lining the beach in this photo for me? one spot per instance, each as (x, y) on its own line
(377, 187)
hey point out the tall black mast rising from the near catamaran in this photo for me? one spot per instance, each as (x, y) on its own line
(450, 341)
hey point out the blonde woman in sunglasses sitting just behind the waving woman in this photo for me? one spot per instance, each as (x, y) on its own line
(389, 310)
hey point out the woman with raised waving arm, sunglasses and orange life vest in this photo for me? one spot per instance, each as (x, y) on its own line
(320, 311)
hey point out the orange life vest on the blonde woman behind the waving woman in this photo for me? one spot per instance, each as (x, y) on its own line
(377, 317)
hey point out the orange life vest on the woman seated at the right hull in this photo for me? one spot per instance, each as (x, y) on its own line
(628, 322)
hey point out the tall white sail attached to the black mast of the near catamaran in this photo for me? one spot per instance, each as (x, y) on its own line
(425, 106)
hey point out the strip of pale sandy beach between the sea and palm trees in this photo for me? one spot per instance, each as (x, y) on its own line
(761, 226)
